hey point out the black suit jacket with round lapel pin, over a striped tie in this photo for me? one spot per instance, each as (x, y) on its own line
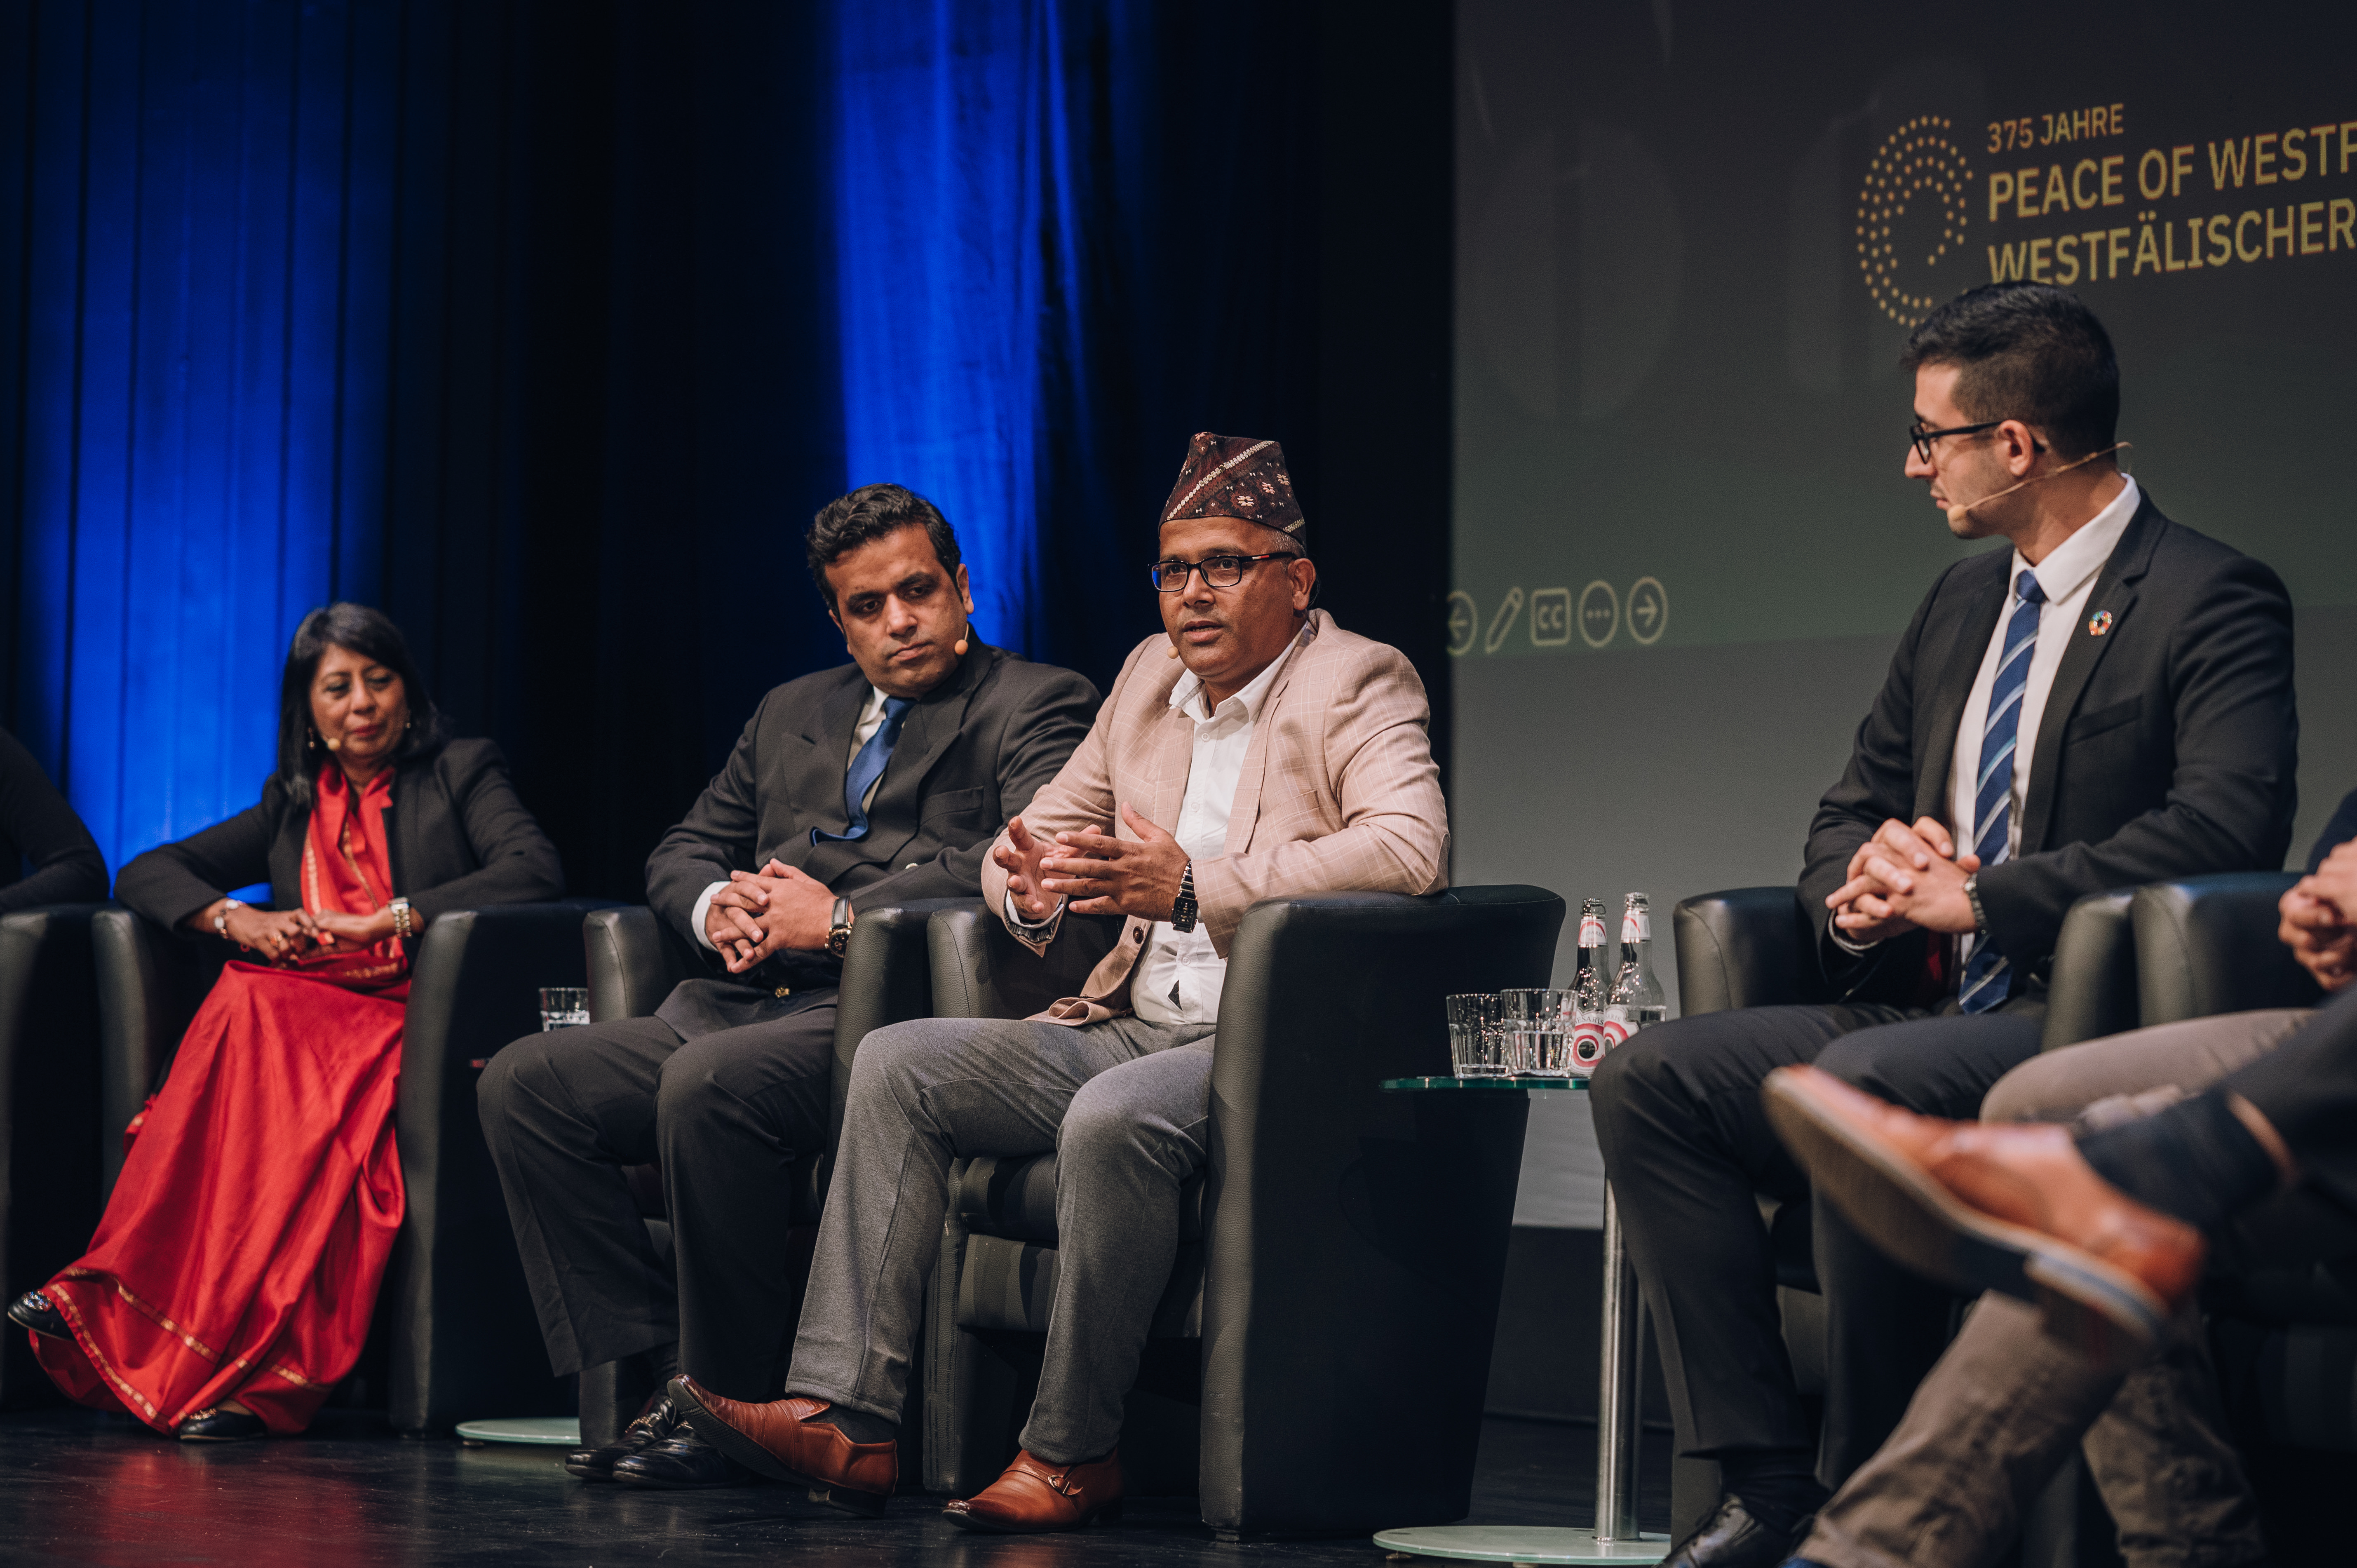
(2170, 746)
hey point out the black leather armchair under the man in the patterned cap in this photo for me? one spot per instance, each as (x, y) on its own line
(1345, 1246)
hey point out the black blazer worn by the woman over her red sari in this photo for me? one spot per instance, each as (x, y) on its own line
(456, 831)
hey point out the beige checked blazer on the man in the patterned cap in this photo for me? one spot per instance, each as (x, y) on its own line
(1340, 791)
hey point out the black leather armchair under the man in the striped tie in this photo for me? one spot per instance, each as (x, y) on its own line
(1755, 947)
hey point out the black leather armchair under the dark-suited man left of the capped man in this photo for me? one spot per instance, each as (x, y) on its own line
(633, 966)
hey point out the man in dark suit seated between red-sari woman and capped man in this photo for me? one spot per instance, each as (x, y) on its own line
(854, 789)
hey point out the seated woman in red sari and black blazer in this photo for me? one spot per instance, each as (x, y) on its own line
(235, 1272)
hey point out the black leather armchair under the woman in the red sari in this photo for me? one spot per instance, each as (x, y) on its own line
(463, 1338)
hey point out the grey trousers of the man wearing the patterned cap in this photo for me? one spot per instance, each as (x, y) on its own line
(1125, 1107)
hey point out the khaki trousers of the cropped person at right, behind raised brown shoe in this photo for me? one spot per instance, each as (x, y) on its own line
(1998, 1416)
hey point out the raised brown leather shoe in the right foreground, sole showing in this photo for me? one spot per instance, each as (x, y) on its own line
(1993, 1206)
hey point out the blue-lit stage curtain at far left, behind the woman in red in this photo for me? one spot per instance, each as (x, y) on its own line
(202, 286)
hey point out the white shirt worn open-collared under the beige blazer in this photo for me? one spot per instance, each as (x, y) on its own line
(1180, 975)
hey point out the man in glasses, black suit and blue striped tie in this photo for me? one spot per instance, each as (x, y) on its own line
(2099, 706)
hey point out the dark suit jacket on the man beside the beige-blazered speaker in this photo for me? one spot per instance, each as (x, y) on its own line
(972, 753)
